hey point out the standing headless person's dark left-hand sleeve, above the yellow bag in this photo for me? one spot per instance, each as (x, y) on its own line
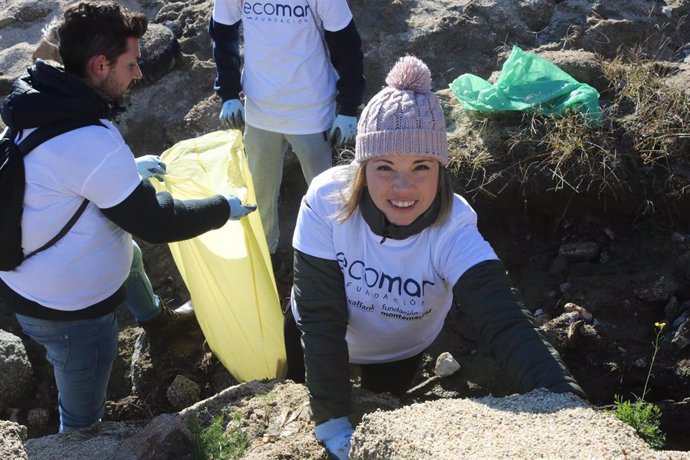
(226, 53)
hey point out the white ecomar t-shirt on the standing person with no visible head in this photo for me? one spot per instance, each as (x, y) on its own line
(287, 77)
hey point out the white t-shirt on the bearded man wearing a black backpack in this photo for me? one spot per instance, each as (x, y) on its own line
(93, 259)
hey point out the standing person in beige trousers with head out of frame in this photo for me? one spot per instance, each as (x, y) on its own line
(302, 80)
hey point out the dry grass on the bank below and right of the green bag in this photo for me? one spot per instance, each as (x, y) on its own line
(645, 138)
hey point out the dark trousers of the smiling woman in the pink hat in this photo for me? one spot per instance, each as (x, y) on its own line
(394, 377)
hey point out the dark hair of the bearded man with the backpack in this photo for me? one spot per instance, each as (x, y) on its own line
(92, 28)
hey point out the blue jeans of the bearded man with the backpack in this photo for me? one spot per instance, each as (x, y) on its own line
(82, 354)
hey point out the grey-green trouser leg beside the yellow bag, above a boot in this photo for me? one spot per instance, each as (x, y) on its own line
(141, 300)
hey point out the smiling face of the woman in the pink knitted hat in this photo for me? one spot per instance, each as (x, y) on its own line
(403, 187)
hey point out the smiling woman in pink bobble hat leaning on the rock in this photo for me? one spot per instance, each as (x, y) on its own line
(383, 250)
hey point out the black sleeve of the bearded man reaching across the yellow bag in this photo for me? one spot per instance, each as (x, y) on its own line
(159, 218)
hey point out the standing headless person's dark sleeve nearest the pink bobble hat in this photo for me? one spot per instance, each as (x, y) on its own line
(345, 47)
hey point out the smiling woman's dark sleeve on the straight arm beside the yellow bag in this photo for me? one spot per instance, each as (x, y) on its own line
(319, 292)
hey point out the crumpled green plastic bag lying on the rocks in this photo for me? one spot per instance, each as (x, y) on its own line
(528, 83)
